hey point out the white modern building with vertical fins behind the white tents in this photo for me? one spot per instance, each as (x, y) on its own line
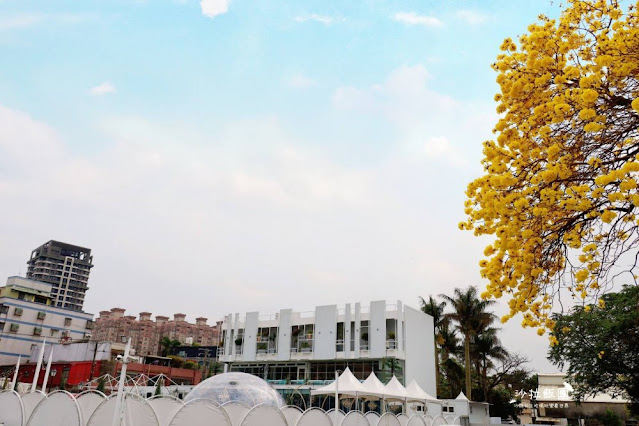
(306, 348)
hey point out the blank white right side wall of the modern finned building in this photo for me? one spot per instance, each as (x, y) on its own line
(420, 349)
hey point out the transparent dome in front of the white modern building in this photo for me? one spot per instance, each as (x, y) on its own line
(239, 387)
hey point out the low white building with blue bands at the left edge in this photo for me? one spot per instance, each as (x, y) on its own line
(27, 316)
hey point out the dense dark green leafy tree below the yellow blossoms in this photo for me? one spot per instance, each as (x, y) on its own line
(600, 345)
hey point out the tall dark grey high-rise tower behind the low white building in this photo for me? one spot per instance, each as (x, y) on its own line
(66, 267)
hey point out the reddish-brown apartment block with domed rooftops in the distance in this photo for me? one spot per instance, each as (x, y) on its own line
(147, 333)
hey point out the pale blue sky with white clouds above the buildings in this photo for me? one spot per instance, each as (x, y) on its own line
(233, 156)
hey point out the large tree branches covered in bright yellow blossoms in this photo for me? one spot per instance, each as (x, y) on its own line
(559, 194)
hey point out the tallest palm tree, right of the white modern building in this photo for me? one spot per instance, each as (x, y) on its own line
(470, 317)
